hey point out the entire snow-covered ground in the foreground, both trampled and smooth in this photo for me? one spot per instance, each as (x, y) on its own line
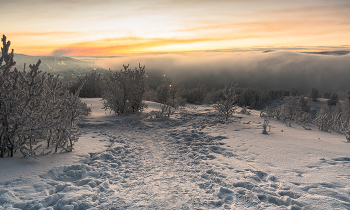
(191, 161)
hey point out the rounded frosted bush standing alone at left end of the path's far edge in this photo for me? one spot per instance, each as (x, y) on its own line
(125, 90)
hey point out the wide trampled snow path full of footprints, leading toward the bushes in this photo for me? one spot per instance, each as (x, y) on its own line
(134, 162)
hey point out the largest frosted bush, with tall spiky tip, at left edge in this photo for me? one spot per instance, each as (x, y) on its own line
(35, 108)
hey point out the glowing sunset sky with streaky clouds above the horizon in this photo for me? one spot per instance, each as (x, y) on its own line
(115, 27)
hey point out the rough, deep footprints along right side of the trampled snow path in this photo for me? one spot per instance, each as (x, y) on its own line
(250, 188)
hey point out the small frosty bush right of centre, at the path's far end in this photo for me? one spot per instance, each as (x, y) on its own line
(227, 106)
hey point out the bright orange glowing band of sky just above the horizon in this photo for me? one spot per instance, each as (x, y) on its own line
(133, 45)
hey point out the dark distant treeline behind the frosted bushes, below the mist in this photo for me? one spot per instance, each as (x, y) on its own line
(161, 88)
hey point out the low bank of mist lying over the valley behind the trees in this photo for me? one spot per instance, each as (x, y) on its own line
(273, 70)
